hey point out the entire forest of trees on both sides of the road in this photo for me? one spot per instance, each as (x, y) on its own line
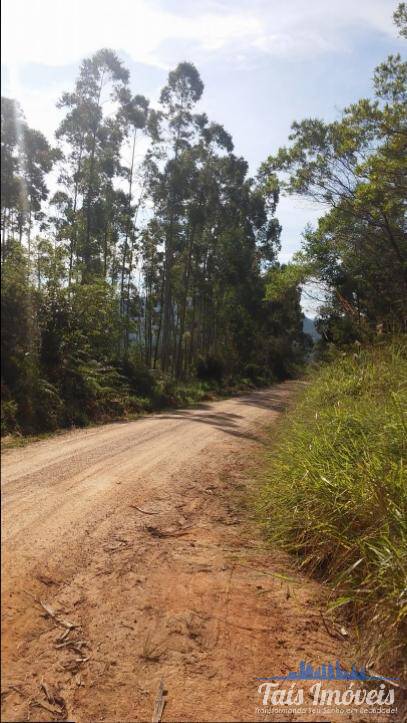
(149, 275)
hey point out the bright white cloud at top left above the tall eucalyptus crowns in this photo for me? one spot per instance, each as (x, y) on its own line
(56, 32)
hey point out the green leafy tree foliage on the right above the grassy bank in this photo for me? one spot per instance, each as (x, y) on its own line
(356, 167)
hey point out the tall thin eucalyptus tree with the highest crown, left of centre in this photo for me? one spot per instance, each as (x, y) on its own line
(92, 140)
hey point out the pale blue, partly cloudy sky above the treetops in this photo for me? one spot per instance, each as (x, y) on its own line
(264, 63)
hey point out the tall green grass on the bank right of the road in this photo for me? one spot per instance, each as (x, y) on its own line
(335, 489)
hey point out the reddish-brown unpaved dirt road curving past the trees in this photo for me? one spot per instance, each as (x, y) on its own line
(188, 593)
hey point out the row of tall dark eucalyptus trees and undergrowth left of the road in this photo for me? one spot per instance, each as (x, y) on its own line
(133, 276)
